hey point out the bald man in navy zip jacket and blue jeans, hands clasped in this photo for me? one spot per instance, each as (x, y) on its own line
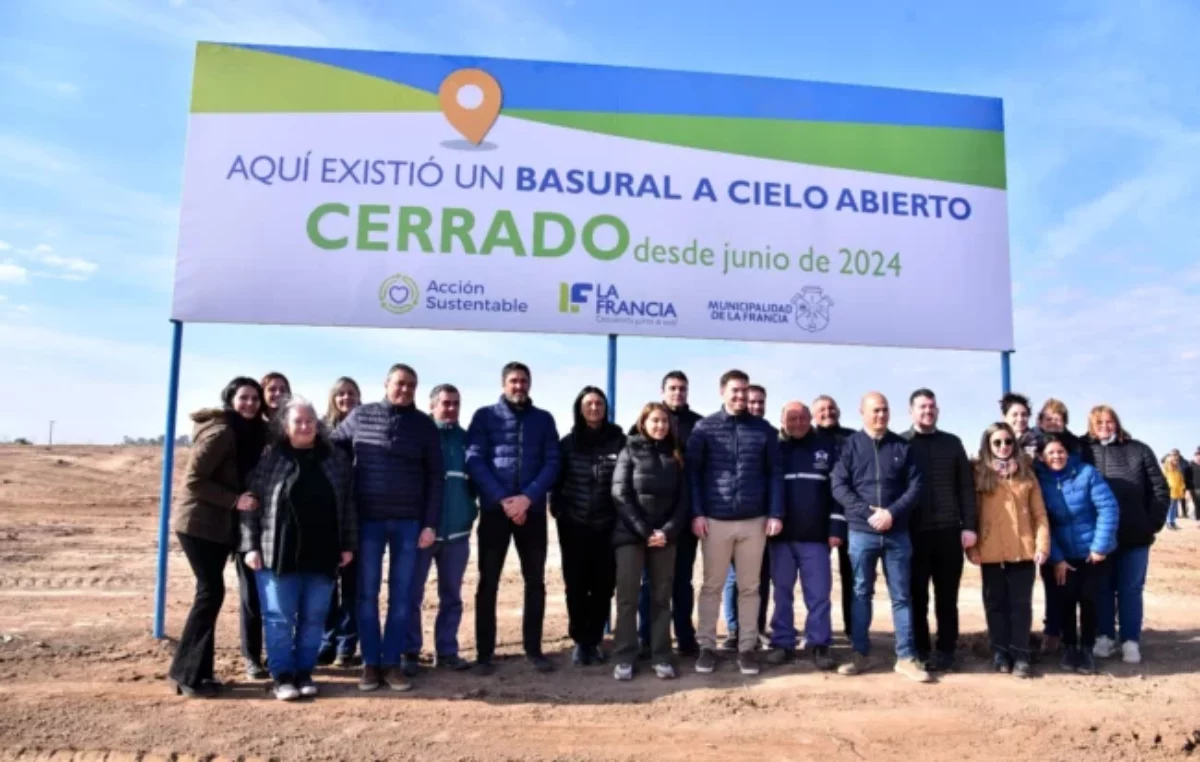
(878, 483)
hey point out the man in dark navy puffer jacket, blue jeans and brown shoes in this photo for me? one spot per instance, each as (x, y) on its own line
(398, 490)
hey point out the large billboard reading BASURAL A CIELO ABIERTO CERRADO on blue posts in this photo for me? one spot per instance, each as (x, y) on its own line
(346, 188)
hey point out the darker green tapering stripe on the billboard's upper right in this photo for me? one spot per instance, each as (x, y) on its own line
(967, 157)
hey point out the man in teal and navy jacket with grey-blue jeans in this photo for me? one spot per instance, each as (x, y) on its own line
(452, 550)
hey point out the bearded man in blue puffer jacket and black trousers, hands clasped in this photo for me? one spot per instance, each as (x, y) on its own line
(513, 458)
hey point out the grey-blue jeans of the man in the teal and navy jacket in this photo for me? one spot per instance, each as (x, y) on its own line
(452, 560)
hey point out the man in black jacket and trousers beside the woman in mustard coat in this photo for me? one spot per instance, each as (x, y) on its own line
(944, 526)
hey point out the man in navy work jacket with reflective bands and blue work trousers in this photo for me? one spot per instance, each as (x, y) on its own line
(800, 544)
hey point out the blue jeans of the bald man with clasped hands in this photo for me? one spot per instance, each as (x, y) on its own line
(867, 549)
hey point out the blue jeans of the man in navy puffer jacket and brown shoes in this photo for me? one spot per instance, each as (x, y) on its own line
(399, 538)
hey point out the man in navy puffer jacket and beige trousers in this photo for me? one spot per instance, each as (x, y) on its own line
(736, 484)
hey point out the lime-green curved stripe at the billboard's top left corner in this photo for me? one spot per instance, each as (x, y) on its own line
(232, 80)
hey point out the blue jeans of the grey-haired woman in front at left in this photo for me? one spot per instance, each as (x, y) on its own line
(295, 608)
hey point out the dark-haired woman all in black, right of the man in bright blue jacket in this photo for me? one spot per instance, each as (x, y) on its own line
(583, 505)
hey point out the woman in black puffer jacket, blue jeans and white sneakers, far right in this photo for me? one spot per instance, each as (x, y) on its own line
(1132, 472)
